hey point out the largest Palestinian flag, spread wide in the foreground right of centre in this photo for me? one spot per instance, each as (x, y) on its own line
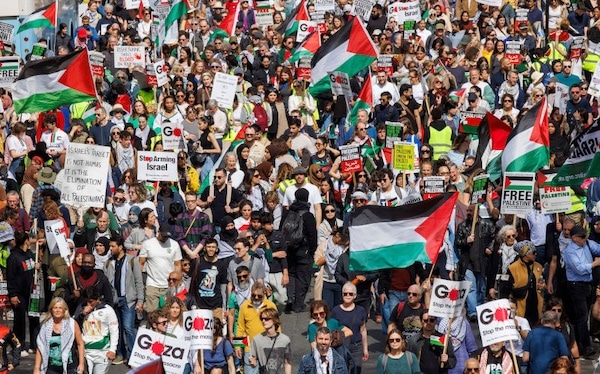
(384, 237)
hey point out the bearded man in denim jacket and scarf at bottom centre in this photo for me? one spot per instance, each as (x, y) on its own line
(323, 356)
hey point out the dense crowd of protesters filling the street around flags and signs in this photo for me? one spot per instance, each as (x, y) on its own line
(256, 224)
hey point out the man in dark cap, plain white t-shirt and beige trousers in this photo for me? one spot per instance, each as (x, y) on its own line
(161, 255)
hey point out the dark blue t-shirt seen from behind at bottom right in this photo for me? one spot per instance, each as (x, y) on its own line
(544, 345)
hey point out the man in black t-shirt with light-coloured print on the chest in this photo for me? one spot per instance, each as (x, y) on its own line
(209, 280)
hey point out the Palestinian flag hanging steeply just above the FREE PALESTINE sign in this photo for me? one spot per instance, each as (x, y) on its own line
(528, 146)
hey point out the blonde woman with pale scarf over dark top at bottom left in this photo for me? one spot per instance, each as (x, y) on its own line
(59, 331)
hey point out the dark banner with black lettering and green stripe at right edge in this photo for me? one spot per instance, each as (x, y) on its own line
(584, 160)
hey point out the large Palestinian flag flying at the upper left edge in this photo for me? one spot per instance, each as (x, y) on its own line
(50, 83)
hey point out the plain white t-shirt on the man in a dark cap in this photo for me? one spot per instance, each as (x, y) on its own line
(160, 260)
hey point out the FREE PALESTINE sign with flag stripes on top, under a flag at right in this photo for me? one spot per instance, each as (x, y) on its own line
(517, 193)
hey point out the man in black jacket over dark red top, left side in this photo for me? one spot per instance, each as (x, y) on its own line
(86, 277)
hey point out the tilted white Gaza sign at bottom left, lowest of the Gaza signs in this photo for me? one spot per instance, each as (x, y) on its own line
(150, 346)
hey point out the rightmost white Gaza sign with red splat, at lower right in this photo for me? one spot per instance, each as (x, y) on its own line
(496, 323)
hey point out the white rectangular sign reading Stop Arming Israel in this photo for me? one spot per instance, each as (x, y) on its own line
(157, 166)
